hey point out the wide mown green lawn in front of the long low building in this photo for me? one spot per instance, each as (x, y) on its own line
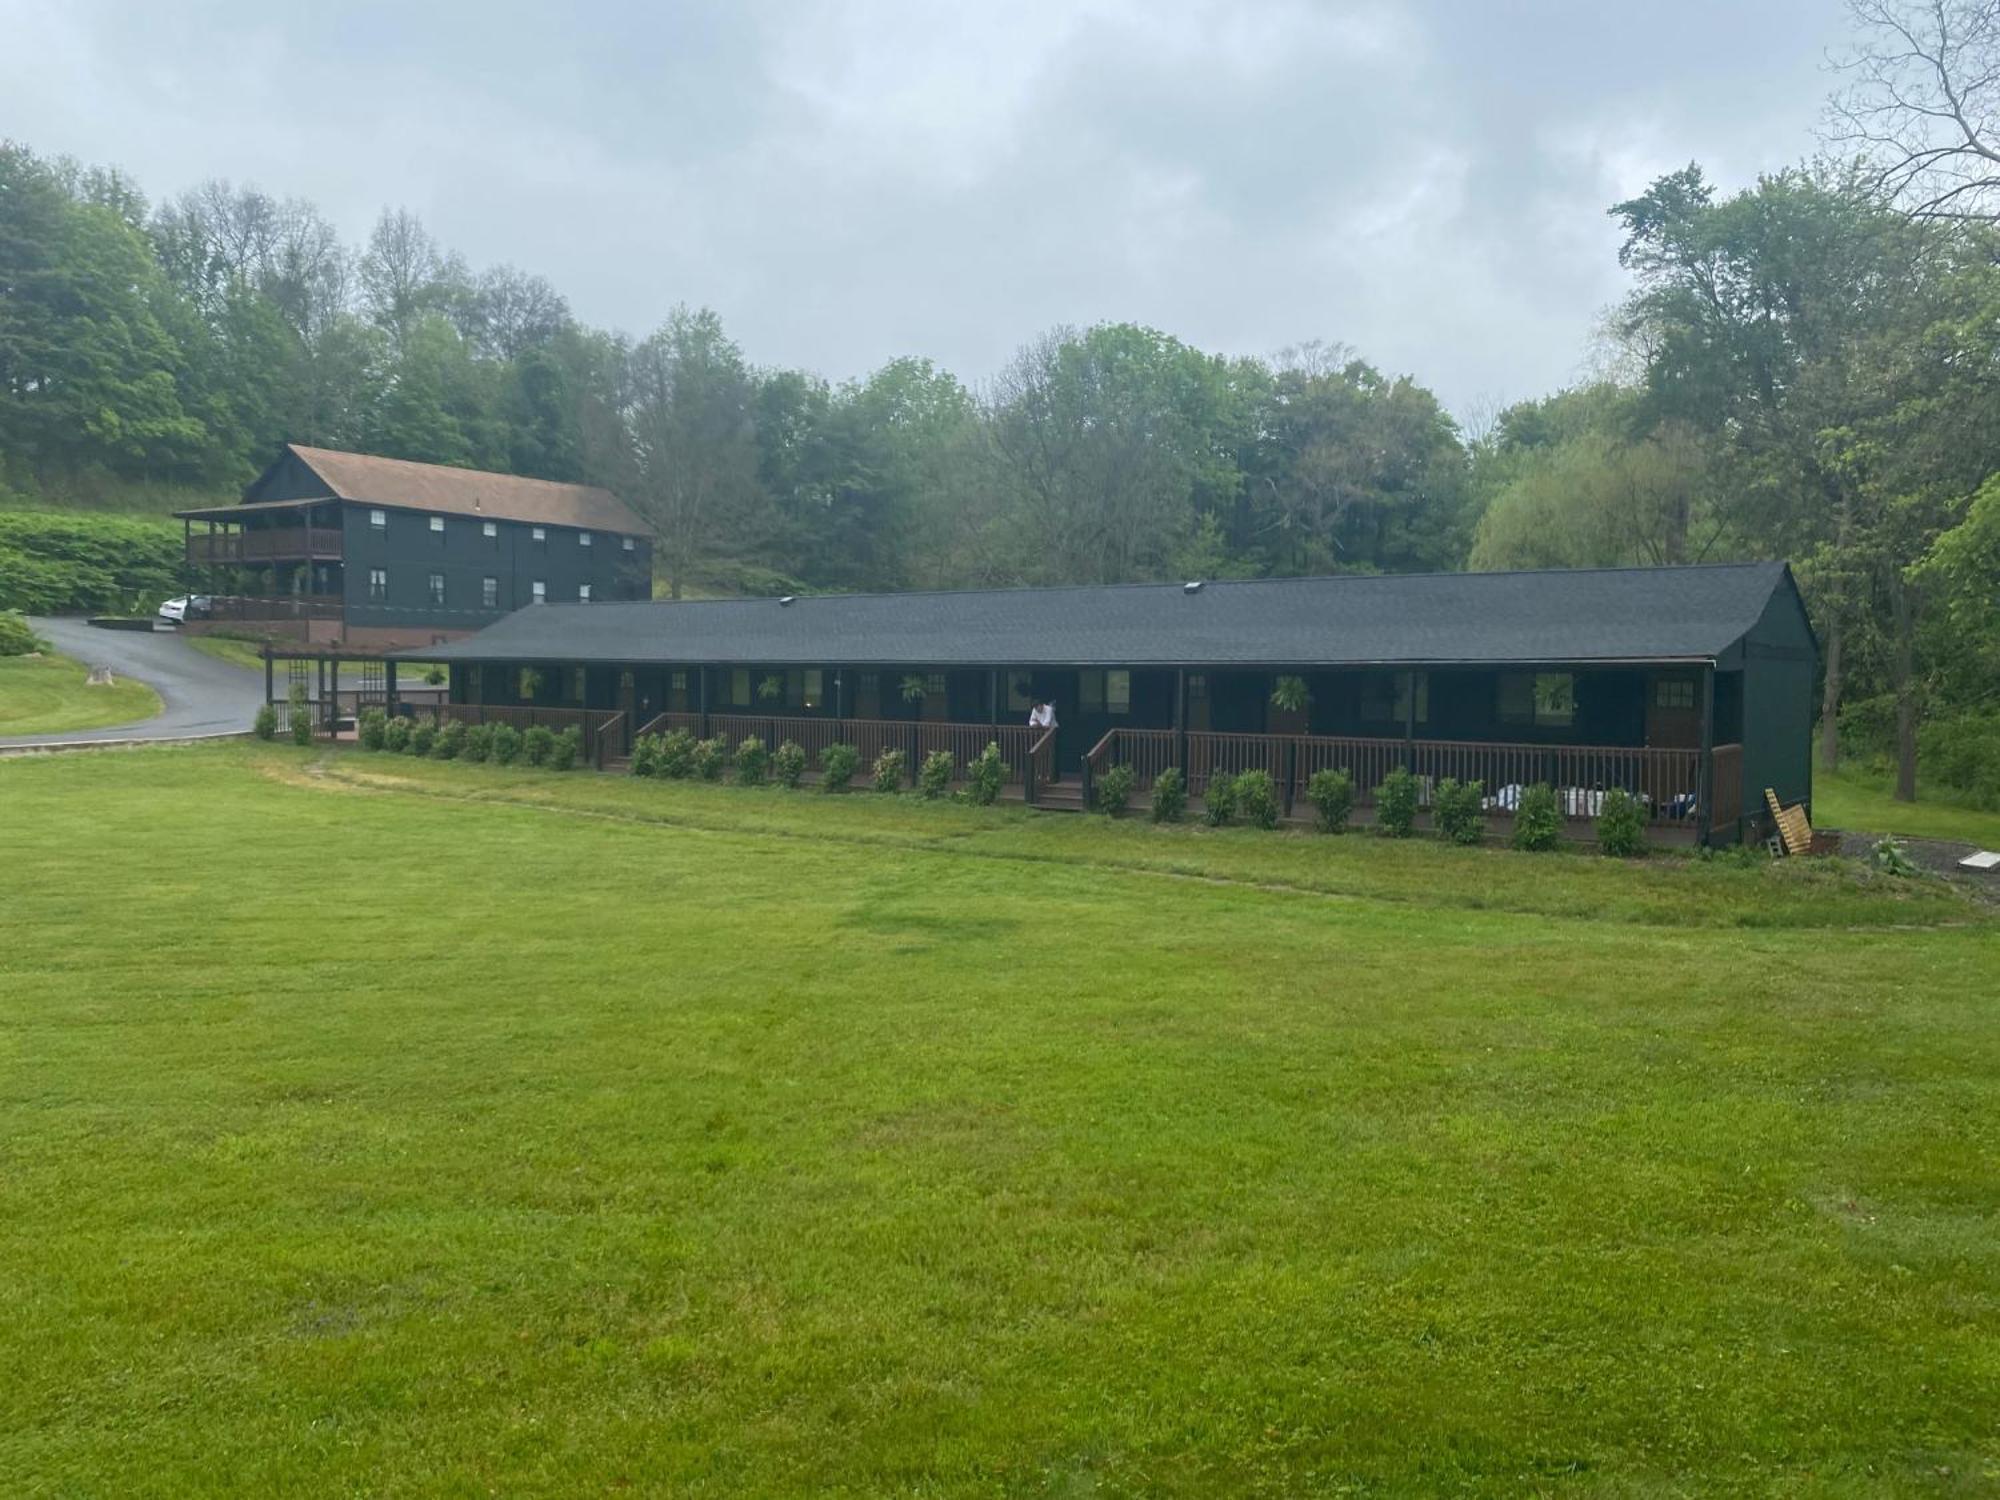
(381, 1127)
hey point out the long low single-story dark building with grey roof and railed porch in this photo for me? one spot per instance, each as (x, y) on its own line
(1687, 687)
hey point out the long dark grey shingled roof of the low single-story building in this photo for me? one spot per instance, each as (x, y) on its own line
(1495, 617)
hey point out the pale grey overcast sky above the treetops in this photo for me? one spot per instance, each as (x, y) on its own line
(847, 183)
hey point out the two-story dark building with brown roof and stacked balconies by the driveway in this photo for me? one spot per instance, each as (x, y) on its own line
(383, 553)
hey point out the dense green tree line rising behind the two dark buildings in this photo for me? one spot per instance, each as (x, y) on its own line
(1805, 369)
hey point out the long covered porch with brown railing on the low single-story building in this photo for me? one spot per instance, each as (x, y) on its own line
(1667, 733)
